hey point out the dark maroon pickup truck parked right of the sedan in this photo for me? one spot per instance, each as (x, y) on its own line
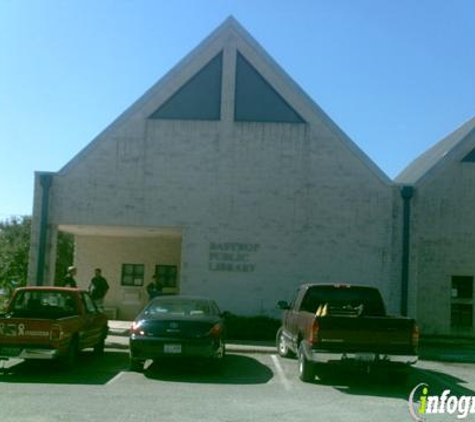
(342, 323)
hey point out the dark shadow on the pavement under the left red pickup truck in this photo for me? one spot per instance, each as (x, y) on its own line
(89, 370)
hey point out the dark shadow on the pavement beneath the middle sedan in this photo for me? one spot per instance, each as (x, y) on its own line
(236, 369)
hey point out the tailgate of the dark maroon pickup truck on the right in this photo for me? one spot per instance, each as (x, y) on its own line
(386, 335)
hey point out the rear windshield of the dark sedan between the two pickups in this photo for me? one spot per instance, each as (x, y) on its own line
(183, 307)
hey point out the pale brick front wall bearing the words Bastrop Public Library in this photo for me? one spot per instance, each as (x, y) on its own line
(316, 207)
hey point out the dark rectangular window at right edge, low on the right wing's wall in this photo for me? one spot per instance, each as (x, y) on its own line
(462, 301)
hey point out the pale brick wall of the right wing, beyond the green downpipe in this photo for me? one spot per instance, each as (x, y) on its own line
(443, 239)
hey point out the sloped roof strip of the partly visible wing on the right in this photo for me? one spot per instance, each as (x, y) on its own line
(435, 157)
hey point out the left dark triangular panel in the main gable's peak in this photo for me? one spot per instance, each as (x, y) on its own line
(197, 99)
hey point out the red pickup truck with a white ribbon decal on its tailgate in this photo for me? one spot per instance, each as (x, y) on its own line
(51, 323)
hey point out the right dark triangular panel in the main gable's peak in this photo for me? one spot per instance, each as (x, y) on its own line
(256, 100)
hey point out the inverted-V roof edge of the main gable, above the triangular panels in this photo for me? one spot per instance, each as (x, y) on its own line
(246, 46)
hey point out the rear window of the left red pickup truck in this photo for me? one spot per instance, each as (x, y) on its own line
(44, 304)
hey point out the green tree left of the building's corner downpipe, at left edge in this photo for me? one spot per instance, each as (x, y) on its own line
(14, 251)
